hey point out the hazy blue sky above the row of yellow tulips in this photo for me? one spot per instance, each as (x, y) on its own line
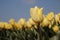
(20, 8)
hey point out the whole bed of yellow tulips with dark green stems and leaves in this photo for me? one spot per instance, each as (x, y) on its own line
(37, 26)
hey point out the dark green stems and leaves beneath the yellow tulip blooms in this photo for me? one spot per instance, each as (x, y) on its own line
(26, 34)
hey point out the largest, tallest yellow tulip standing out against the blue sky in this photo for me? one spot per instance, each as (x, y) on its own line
(36, 14)
